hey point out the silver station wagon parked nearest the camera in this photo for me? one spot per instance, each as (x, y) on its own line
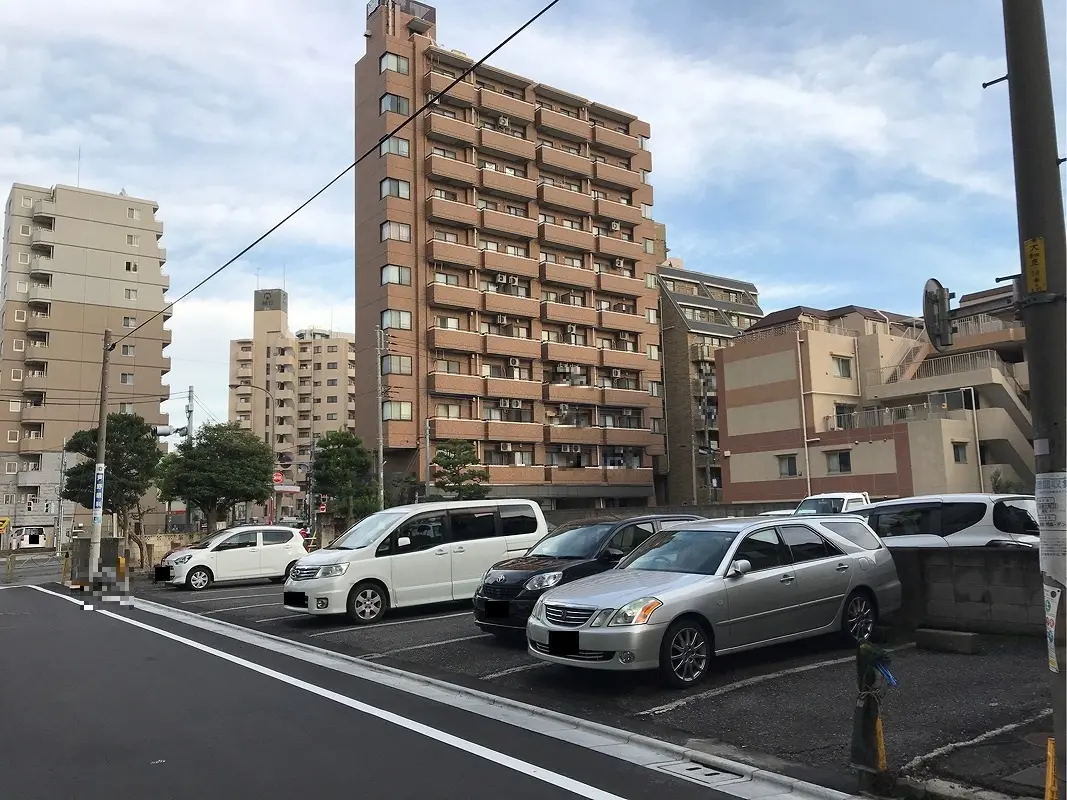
(720, 586)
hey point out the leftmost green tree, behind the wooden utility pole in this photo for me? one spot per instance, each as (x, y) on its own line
(131, 457)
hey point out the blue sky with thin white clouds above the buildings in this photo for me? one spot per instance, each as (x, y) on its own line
(831, 152)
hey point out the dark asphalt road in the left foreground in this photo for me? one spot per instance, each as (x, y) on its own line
(119, 703)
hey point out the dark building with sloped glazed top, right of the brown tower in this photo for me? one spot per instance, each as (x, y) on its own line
(699, 314)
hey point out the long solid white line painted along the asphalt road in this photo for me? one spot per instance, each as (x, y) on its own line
(540, 774)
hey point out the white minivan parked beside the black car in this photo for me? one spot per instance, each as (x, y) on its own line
(411, 556)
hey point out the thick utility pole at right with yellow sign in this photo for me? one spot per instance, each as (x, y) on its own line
(1044, 284)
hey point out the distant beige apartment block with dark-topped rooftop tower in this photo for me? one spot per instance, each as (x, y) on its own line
(291, 389)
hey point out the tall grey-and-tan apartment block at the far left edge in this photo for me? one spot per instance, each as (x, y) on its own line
(75, 263)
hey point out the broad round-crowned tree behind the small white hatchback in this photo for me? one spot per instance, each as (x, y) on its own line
(216, 470)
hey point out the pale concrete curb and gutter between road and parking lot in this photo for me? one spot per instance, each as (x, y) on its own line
(672, 753)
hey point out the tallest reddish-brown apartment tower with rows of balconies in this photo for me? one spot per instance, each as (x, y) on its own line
(505, 243)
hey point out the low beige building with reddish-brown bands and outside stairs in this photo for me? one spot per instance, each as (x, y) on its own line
(856, 399)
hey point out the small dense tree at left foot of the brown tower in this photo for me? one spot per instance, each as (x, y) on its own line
(342, 470)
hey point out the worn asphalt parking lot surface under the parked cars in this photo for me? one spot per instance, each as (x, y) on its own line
(789, 707)
